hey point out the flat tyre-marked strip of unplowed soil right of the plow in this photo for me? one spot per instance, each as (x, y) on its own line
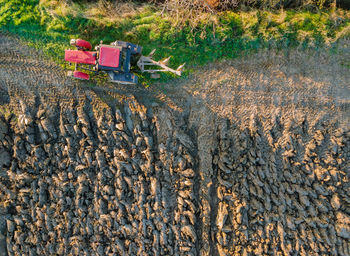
(312, 83)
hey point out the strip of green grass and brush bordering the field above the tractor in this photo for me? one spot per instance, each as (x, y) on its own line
(49, 25)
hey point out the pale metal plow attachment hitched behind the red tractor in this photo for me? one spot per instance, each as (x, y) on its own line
(145, 61)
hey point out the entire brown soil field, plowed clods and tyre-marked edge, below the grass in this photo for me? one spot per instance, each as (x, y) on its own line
(246, 157)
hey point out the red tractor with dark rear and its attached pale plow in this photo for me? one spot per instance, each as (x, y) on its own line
(116, 60)
